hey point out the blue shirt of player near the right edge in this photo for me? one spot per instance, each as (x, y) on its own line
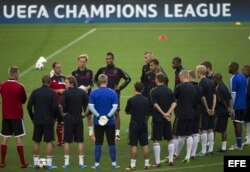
(238, 88)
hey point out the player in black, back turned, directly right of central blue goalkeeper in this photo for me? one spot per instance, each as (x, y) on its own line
(138, 107)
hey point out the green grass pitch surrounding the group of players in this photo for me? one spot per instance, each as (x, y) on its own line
(21, 45)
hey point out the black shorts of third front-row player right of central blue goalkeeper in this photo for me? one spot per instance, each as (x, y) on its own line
(185, 127)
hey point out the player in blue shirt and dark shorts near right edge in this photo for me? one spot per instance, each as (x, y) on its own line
(238, 87)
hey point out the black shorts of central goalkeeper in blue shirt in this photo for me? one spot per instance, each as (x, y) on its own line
(99, 134)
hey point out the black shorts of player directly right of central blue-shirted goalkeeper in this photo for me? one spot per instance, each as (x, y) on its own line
(136, 135)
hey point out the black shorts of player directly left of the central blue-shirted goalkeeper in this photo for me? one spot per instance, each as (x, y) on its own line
(73, 131)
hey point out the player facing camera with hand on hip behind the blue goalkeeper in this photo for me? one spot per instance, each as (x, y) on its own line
(115, 74)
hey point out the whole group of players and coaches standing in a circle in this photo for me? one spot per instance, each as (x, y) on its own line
(199, 108)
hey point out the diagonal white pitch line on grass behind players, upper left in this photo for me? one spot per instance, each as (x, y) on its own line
(60, 50)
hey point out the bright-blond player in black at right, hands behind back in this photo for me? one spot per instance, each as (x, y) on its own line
(207, 109)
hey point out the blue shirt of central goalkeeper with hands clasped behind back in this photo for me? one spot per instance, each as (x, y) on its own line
(103, 98)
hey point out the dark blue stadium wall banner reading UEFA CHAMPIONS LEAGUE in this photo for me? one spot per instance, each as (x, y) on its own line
(80, 11)
